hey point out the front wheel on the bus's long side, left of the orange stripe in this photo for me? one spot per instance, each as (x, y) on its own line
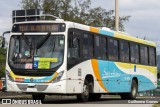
(84, 96)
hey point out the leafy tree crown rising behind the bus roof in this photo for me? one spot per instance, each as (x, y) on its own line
(79, 11)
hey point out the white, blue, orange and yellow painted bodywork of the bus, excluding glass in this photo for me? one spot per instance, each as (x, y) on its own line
(108, 76)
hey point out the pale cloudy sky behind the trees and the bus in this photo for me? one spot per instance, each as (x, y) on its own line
(144, 20)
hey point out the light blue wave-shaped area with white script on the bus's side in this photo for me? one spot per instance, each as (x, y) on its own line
(114, 79)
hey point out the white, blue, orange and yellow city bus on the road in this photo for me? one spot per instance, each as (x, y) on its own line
(57, 57)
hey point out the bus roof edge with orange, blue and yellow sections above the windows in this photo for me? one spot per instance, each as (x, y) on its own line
(104, 31)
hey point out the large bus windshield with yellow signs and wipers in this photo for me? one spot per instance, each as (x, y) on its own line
(35, 51)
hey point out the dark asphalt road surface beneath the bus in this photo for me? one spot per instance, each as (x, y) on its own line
(103, 100)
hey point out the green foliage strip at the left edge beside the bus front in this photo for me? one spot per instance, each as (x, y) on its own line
(2, 62)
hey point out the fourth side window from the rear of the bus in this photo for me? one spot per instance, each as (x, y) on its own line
(124, 51)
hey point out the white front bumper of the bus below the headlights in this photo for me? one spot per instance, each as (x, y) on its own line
(54, 88)
